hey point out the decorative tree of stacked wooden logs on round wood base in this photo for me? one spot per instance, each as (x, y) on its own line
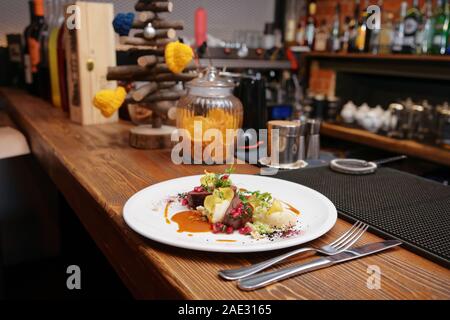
(153, 33)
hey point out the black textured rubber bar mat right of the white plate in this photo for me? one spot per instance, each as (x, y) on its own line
(395, 204)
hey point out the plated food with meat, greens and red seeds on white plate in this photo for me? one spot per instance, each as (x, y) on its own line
(229, 209)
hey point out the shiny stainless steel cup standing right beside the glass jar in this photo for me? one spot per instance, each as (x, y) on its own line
(288, 148)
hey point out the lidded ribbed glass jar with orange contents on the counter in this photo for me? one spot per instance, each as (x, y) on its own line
(210, 104)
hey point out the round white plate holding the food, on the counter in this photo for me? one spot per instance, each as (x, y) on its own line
(144, 213)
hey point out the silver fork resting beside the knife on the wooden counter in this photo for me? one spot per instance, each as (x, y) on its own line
(341, 244)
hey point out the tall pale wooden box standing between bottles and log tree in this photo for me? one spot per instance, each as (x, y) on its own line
(90, 50)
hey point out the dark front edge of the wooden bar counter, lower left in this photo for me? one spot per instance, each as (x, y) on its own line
(61, 174)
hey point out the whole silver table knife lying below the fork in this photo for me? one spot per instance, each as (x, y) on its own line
(261, 280)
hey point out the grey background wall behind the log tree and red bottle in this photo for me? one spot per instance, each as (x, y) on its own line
(225, 16)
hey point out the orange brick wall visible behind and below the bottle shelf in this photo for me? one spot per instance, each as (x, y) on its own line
(323, 81)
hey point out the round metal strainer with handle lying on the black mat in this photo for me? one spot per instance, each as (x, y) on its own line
(358, 167)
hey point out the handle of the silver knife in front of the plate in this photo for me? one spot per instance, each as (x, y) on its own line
(262, 280)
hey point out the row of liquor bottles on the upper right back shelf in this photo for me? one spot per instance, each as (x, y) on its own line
(418, 31)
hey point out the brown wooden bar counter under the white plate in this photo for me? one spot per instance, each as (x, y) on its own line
(96, 171)
